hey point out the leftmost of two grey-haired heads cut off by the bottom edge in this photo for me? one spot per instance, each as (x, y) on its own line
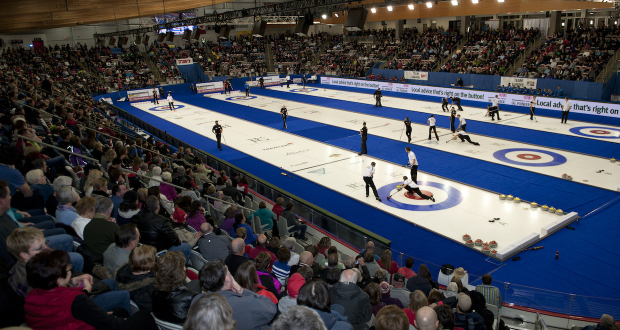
(210, 311)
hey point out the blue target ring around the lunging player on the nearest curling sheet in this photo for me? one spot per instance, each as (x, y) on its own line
(455, 197)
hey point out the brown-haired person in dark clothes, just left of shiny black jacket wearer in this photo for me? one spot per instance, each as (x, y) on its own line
(137, 276)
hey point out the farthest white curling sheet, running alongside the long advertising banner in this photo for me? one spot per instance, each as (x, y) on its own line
(572, 128)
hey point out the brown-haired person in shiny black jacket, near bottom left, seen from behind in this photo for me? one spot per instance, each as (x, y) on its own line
(171, 298)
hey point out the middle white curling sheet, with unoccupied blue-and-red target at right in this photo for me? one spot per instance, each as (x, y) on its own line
(585, 169)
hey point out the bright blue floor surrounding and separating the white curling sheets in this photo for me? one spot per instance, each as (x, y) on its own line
(575, 272)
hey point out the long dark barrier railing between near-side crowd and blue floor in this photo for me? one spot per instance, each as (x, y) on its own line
(339, 227)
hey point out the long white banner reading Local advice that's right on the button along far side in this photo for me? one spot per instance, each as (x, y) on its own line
(523, 100)
